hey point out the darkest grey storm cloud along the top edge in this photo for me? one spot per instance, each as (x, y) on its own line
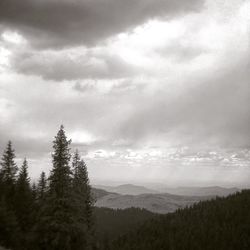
(51, 23)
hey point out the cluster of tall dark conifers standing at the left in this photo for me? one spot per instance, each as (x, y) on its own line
(55, 213)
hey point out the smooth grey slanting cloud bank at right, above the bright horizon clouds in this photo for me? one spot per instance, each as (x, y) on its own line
(213, 110)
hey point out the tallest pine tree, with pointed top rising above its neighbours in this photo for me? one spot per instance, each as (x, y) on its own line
(57, 227)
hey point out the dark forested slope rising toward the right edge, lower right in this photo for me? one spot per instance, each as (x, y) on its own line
(223, 223)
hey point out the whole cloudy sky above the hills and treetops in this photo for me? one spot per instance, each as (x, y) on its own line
(149, 91)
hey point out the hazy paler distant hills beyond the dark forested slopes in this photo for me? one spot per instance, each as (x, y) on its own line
(161, 203)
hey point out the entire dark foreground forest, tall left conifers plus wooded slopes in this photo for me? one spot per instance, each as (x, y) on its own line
(58, 213)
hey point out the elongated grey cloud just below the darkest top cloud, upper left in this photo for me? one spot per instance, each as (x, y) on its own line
(82, 66)
